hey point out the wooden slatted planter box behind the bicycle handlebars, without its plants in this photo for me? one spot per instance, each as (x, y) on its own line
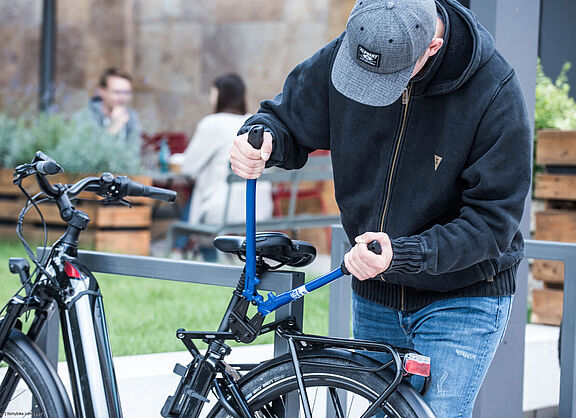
(112, 228)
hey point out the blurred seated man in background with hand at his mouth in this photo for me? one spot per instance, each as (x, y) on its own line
(109, 108)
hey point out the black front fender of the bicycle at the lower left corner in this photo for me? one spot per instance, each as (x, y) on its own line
(39, 358)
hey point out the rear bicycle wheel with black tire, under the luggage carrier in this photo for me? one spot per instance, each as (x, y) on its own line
(266, 390)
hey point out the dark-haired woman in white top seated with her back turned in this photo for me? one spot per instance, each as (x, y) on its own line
(206, 160)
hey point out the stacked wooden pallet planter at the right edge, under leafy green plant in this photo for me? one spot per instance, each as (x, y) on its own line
(556, 151)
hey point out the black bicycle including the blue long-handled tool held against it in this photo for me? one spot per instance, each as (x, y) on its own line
(320, 376)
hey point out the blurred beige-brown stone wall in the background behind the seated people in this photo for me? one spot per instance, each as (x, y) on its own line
(174, 48)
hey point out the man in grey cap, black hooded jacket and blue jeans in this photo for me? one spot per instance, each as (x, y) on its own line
(430, 144)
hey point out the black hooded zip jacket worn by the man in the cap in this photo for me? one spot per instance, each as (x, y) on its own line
(444, 171)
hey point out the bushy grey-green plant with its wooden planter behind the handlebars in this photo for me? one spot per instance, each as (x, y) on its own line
(82, 149)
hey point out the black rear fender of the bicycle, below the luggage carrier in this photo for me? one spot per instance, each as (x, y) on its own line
(407, 391)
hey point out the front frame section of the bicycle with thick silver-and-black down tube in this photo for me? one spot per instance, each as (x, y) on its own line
(75, 293)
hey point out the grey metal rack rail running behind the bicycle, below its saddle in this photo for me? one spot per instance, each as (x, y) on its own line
(179, 271)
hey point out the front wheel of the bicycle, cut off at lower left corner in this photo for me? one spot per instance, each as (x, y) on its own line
(38, 393)
